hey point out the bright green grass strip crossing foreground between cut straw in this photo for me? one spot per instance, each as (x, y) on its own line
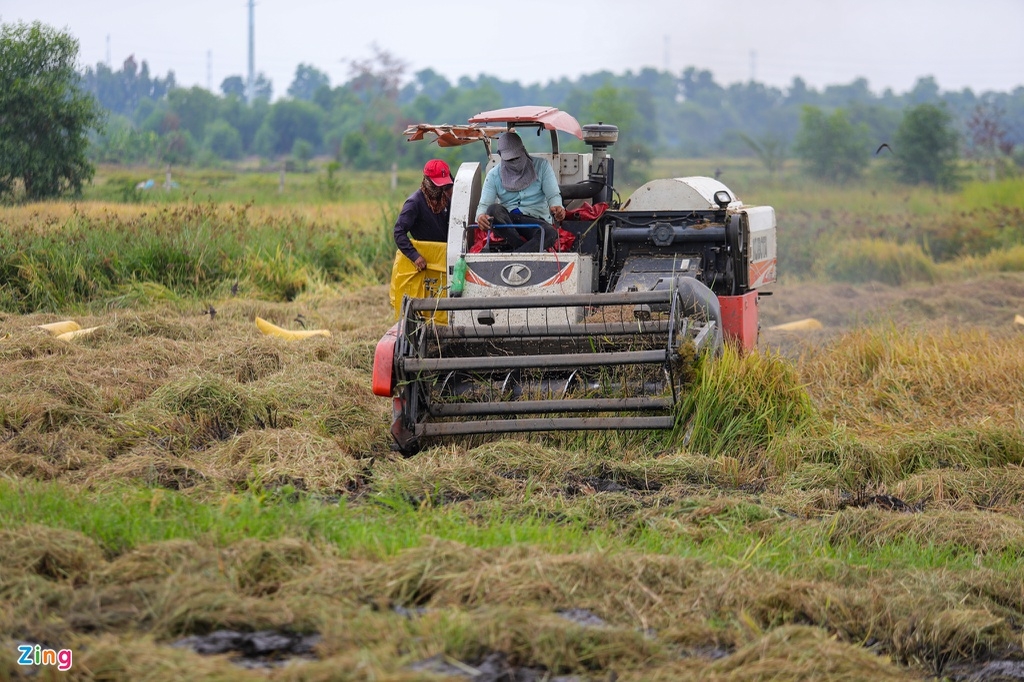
(380, 527)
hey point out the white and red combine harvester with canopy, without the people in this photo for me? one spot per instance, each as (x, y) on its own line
(601, 336)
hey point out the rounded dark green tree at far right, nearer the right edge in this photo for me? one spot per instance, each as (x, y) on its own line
(927, 148)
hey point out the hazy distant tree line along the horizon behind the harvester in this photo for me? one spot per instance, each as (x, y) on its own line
(668, 115)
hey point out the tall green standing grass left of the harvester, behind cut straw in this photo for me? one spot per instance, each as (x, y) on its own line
(192, 250)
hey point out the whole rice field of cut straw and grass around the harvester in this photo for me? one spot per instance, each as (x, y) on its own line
(185, 498)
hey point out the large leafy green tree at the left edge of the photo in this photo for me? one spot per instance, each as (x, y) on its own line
(45, 117)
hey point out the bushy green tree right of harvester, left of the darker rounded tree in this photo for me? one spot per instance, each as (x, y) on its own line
(831, 147)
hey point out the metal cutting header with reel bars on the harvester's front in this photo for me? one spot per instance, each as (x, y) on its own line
(610, 371)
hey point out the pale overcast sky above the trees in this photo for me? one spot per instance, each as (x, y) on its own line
(963, 44)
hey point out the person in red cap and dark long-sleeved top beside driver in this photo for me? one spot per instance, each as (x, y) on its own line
(425, 215)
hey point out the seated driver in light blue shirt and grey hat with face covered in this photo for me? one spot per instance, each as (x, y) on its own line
(521, 190)
